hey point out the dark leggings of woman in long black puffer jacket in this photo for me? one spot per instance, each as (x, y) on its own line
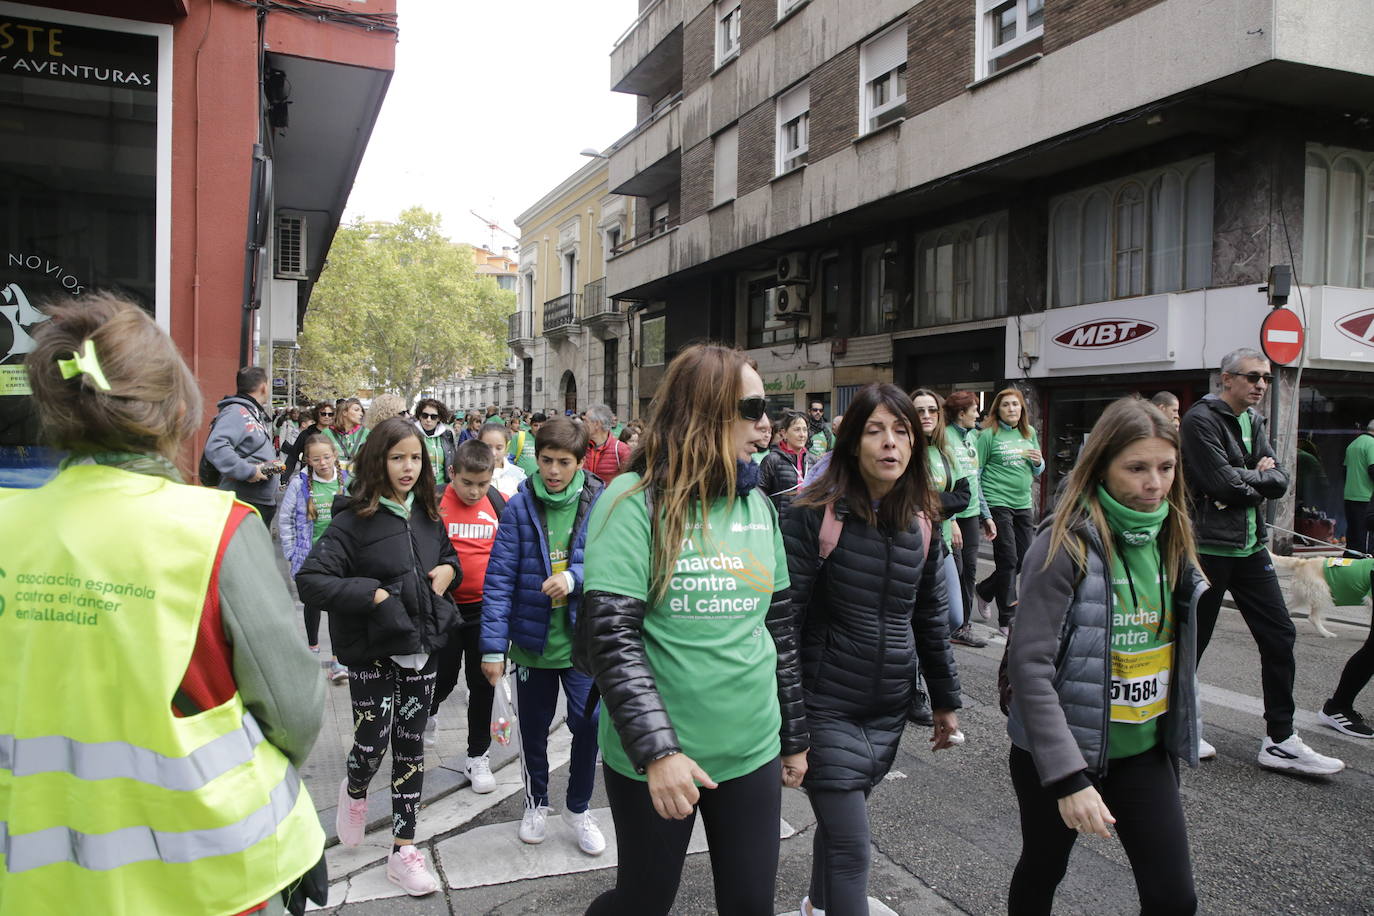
(840, 852)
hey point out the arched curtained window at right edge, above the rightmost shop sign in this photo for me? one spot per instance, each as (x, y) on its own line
(1338, 226)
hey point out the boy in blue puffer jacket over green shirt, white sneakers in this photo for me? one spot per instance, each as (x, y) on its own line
(530, 604)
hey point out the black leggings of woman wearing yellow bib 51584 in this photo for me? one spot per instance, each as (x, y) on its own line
(1142, 793)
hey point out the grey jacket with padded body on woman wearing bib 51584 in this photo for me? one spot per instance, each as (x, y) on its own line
(1060, 668)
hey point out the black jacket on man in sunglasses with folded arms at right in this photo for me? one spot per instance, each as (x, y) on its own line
(1224, 485)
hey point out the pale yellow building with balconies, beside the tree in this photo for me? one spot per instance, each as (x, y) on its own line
(570, 339)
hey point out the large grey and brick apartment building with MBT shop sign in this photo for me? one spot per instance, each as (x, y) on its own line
(1077, 197)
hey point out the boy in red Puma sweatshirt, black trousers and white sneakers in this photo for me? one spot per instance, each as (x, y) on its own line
(472, 510)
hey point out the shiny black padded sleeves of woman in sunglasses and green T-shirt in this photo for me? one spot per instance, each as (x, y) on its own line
(615, 643)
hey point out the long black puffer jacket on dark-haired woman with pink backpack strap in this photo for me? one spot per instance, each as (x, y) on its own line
(875, 608)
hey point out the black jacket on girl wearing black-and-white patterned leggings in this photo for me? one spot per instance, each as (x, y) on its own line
(357, 557)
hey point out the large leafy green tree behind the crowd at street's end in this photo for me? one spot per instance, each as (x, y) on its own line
(398, 308)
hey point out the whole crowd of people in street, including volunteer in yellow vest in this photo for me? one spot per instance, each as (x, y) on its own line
(729, 604)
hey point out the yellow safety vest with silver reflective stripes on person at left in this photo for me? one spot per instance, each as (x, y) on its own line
(109, 804)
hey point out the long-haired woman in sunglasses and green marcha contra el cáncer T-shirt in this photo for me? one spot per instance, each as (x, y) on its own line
(693, 645)
